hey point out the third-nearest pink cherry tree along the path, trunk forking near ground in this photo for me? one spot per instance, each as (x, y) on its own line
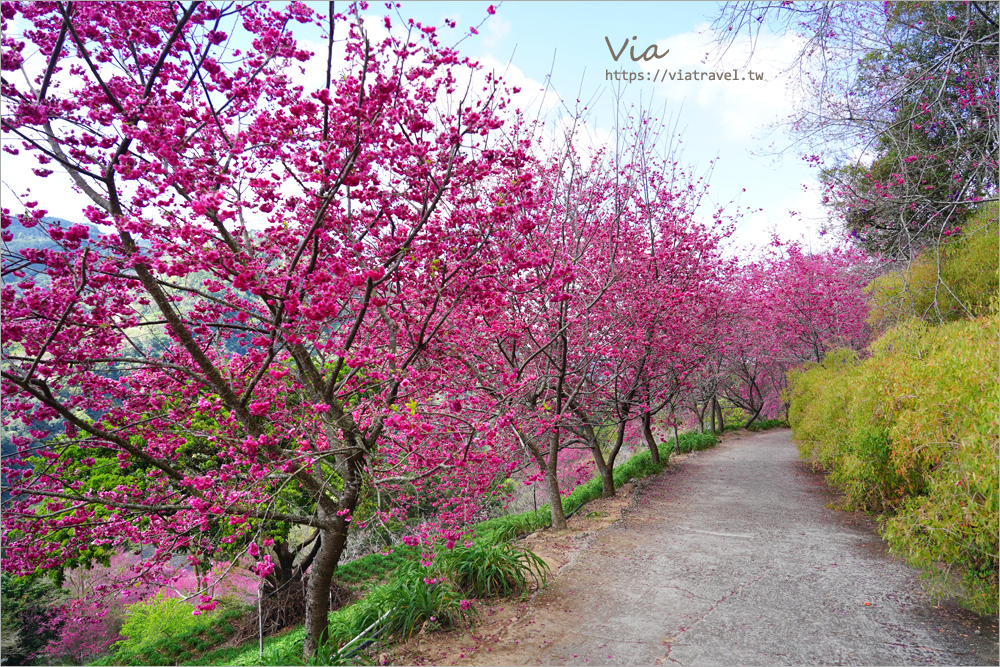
(664, 307)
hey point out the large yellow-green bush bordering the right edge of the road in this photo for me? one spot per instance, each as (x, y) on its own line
(912, 433)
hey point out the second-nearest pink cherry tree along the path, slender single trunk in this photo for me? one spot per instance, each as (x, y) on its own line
(534, 355)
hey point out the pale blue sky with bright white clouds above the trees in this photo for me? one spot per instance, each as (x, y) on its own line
(562, 49)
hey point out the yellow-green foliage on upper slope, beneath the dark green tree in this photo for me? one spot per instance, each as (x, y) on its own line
(968, 285)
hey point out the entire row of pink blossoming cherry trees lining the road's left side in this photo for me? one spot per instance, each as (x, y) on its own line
(320, 308)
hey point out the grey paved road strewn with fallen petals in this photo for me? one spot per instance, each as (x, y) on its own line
(734, 558)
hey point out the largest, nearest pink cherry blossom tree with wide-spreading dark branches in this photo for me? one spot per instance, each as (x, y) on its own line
(261, 338)
